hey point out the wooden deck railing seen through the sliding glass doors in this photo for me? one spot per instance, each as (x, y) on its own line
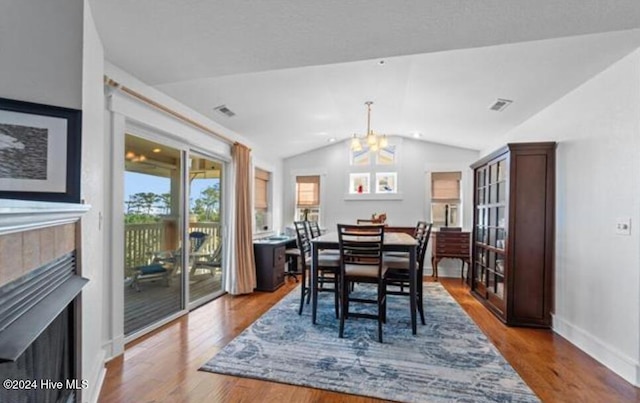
(143, 240)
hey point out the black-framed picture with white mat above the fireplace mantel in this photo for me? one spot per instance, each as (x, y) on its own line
(40, 152)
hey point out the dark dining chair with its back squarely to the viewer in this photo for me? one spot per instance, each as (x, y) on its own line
(361, 261)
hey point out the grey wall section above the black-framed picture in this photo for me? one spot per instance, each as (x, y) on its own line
(41, 52)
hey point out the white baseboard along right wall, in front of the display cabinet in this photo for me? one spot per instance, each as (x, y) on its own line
(626, 367)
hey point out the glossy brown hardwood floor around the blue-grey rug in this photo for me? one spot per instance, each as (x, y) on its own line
(163, 366)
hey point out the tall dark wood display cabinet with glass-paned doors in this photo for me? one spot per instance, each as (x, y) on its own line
(513, 233)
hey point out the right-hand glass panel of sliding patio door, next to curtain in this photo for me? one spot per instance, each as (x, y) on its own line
(205, 178)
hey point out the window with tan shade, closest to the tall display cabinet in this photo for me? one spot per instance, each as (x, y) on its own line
(445, 199)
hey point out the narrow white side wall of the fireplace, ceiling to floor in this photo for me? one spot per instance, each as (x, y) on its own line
(92, 192)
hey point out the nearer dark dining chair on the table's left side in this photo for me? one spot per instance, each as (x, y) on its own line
(327, 272)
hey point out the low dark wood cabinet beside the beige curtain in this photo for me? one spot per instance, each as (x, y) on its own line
(270, 262)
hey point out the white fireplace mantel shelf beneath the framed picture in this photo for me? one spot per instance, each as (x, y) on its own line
(23, 215)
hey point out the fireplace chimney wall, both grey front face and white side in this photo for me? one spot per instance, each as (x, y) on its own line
(51, 54)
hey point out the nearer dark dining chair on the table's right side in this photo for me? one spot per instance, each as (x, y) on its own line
(398, 268)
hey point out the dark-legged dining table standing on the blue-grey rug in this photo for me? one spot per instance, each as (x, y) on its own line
(393, 242)
